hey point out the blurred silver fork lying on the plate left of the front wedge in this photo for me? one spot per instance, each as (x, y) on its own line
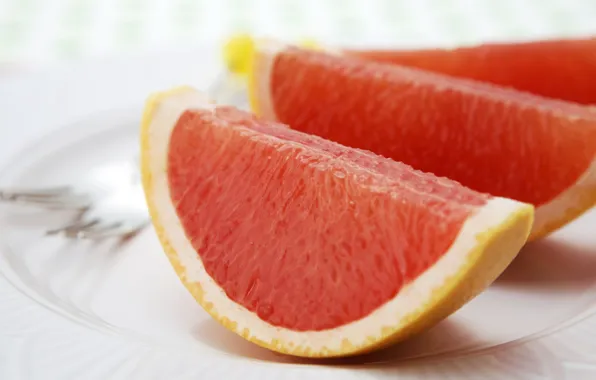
(104, 207)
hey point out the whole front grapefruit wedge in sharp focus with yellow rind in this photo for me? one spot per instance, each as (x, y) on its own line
(307, 247)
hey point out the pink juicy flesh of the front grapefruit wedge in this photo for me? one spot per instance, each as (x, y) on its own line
(321, 206)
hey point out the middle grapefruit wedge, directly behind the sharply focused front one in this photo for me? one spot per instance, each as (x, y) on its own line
(492, 139)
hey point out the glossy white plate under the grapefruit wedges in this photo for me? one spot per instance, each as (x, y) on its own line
(74, 310)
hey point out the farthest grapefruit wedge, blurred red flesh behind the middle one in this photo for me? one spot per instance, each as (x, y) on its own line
(564, 69)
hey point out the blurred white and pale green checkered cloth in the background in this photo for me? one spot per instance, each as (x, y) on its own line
(41, 31)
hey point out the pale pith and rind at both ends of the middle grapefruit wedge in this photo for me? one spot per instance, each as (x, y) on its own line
(554, 210)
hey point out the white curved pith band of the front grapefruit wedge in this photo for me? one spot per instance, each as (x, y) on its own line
(411, 297)
